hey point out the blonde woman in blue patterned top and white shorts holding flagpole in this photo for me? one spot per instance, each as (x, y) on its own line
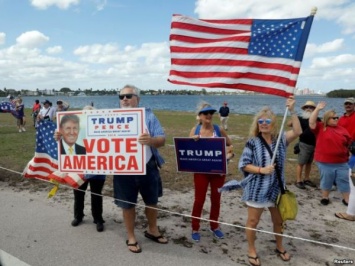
(263, 188)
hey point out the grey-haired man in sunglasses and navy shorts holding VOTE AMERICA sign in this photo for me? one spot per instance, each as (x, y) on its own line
(127, 187)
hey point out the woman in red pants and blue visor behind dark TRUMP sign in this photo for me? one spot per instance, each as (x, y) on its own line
(206, 129)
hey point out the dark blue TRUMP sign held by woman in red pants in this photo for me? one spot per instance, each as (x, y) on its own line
(206, 155)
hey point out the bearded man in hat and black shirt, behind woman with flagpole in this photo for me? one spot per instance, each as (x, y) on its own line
(307, 142)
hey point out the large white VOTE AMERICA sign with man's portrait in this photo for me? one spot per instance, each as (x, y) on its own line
(102, 141)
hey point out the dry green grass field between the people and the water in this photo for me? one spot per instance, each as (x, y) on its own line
(18, 148)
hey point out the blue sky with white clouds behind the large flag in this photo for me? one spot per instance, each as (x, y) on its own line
(105, 44)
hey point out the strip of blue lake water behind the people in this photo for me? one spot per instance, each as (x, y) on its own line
(240, 104)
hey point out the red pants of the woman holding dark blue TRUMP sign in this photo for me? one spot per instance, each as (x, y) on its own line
(201, 185)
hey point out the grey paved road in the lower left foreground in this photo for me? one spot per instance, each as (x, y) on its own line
(36, 232)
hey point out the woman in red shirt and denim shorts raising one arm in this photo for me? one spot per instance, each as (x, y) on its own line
(331, 153)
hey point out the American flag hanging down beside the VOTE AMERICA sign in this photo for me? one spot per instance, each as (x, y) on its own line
(44, 164)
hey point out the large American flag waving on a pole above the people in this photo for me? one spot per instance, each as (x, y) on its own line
(248, 54)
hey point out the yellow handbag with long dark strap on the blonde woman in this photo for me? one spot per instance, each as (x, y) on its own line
(286, 201)
